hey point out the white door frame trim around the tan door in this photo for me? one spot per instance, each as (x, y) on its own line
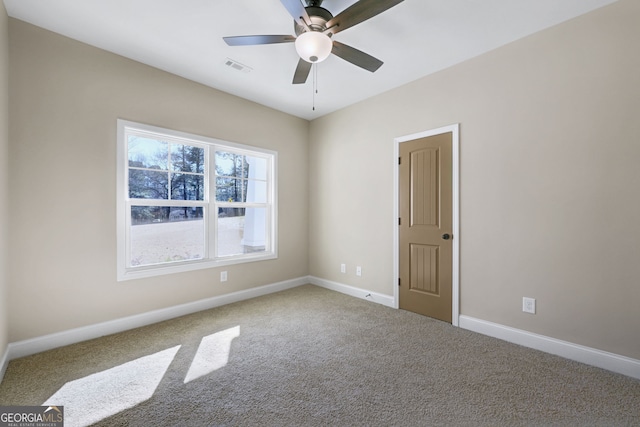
(455, 274)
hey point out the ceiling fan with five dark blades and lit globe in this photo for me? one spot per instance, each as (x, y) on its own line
(314, 26)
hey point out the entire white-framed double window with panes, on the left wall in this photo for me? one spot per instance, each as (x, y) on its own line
(187, 202)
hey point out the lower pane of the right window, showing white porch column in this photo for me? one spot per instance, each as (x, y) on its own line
(241, 231)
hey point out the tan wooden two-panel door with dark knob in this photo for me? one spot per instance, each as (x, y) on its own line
(426, 221)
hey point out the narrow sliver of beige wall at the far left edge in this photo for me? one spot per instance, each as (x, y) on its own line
(4, 152)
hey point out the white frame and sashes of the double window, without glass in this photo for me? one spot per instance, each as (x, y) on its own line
(209, 260)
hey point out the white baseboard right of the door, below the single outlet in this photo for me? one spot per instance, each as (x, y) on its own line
(591, 356)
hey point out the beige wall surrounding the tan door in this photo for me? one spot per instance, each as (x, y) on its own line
(549, 180)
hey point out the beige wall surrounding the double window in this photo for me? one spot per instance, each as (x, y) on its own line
(65, 99)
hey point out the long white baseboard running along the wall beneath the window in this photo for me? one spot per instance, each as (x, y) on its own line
(59, 339)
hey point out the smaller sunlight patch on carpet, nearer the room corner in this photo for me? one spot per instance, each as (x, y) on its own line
(212, 354)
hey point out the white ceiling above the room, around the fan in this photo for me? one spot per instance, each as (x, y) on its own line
(184, 37)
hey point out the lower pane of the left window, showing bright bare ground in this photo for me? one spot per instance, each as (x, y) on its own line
(166, 234)
